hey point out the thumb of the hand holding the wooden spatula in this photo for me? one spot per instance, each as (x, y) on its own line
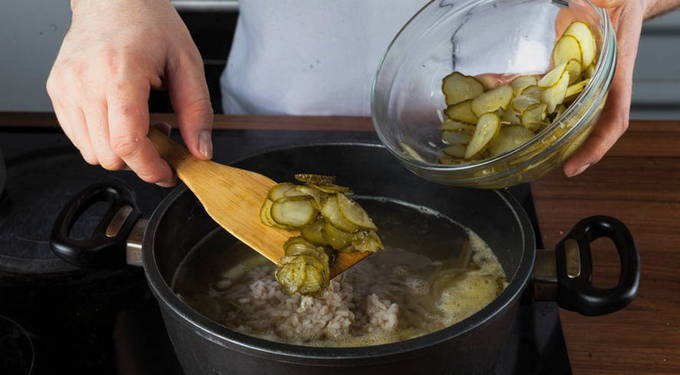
(191, 101)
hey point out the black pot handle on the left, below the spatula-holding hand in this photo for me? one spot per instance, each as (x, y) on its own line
(106, 247)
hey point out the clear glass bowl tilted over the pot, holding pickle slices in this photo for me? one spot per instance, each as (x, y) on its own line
(506, 37)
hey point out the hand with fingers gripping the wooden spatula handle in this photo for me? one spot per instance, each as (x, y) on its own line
(114, 53)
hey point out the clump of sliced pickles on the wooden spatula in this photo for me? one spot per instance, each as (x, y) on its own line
(342, 225)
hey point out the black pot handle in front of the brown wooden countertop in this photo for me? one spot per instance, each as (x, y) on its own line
(574, 268)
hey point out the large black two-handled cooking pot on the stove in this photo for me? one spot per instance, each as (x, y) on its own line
(469, 347)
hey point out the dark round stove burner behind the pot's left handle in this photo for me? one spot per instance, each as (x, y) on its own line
(38, 186)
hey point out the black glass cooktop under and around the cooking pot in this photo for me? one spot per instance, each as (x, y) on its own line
(57, 319)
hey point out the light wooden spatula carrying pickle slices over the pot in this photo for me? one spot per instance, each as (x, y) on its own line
(233, 198)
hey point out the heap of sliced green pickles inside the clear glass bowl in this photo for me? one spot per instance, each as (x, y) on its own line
(525, 105)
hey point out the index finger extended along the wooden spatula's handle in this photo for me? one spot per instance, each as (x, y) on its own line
(128, 117)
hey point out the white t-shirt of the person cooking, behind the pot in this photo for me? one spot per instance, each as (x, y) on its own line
(309, 57)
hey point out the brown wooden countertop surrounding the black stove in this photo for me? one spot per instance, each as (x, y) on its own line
(638, 182)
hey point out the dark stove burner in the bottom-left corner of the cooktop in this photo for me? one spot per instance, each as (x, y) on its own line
(18, 354)
